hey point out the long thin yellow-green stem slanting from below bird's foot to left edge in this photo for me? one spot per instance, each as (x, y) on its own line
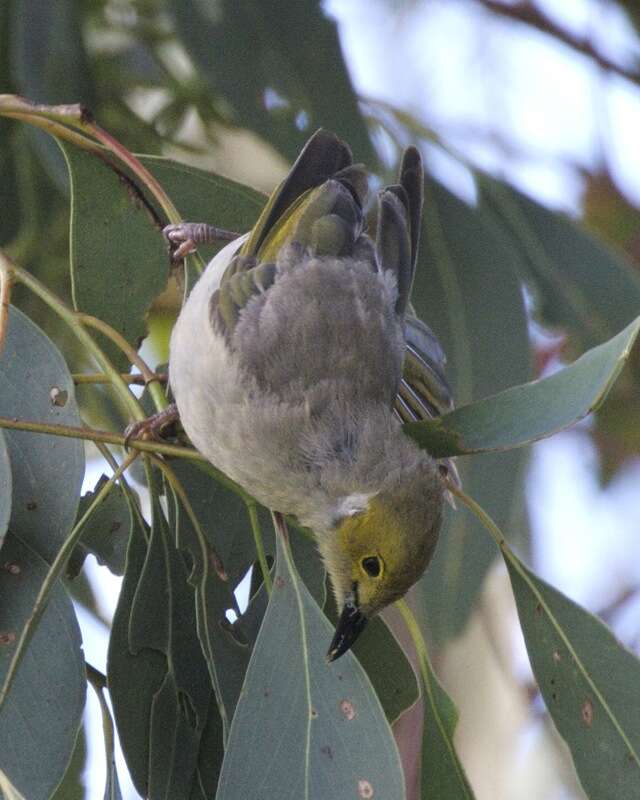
(55, 571)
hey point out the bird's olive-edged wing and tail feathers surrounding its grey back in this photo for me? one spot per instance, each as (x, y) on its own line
(319, 205)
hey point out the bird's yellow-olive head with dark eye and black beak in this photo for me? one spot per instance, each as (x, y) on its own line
(381, 544)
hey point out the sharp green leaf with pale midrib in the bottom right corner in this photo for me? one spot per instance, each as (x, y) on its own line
(589, 681)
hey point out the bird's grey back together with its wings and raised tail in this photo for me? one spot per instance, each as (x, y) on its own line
(310, 275)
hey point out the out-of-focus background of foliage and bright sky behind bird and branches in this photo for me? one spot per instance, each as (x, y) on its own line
(529, 110)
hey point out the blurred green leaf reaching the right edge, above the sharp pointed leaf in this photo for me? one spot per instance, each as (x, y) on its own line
(579, 282)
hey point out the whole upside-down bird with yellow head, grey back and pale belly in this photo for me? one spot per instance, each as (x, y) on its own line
(295, 360)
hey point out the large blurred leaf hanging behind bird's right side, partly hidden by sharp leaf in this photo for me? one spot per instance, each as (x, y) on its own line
(466, 289)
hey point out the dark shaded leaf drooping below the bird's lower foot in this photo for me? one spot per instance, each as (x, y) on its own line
(162, 618)
